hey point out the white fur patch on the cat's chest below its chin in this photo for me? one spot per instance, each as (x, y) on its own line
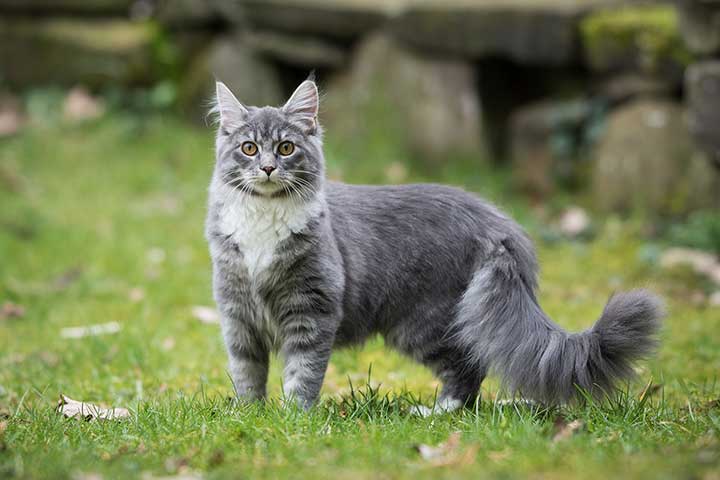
(258, 224)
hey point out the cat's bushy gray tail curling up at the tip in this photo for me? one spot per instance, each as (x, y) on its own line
(500, 321)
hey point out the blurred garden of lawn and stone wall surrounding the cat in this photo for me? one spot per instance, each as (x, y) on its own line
(595, 123)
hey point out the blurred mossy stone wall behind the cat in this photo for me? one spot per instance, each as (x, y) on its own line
(571, 93)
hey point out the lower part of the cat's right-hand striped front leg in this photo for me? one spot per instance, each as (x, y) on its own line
(306, 347)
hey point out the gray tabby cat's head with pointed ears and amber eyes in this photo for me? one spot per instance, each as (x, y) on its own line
(272, 152)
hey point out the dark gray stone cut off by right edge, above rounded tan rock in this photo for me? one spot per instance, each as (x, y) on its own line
(702, 87)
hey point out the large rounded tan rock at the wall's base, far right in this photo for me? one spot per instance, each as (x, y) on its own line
(646, 160)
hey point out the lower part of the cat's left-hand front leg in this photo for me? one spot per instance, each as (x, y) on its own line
(248, 359)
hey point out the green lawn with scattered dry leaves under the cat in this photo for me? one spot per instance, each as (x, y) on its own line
(104, 223)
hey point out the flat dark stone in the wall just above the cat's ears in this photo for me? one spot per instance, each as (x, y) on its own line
(302, 51)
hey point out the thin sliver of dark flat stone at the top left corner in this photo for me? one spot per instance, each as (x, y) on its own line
(45, 7)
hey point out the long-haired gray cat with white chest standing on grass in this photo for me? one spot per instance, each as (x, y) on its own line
(302, 265)
